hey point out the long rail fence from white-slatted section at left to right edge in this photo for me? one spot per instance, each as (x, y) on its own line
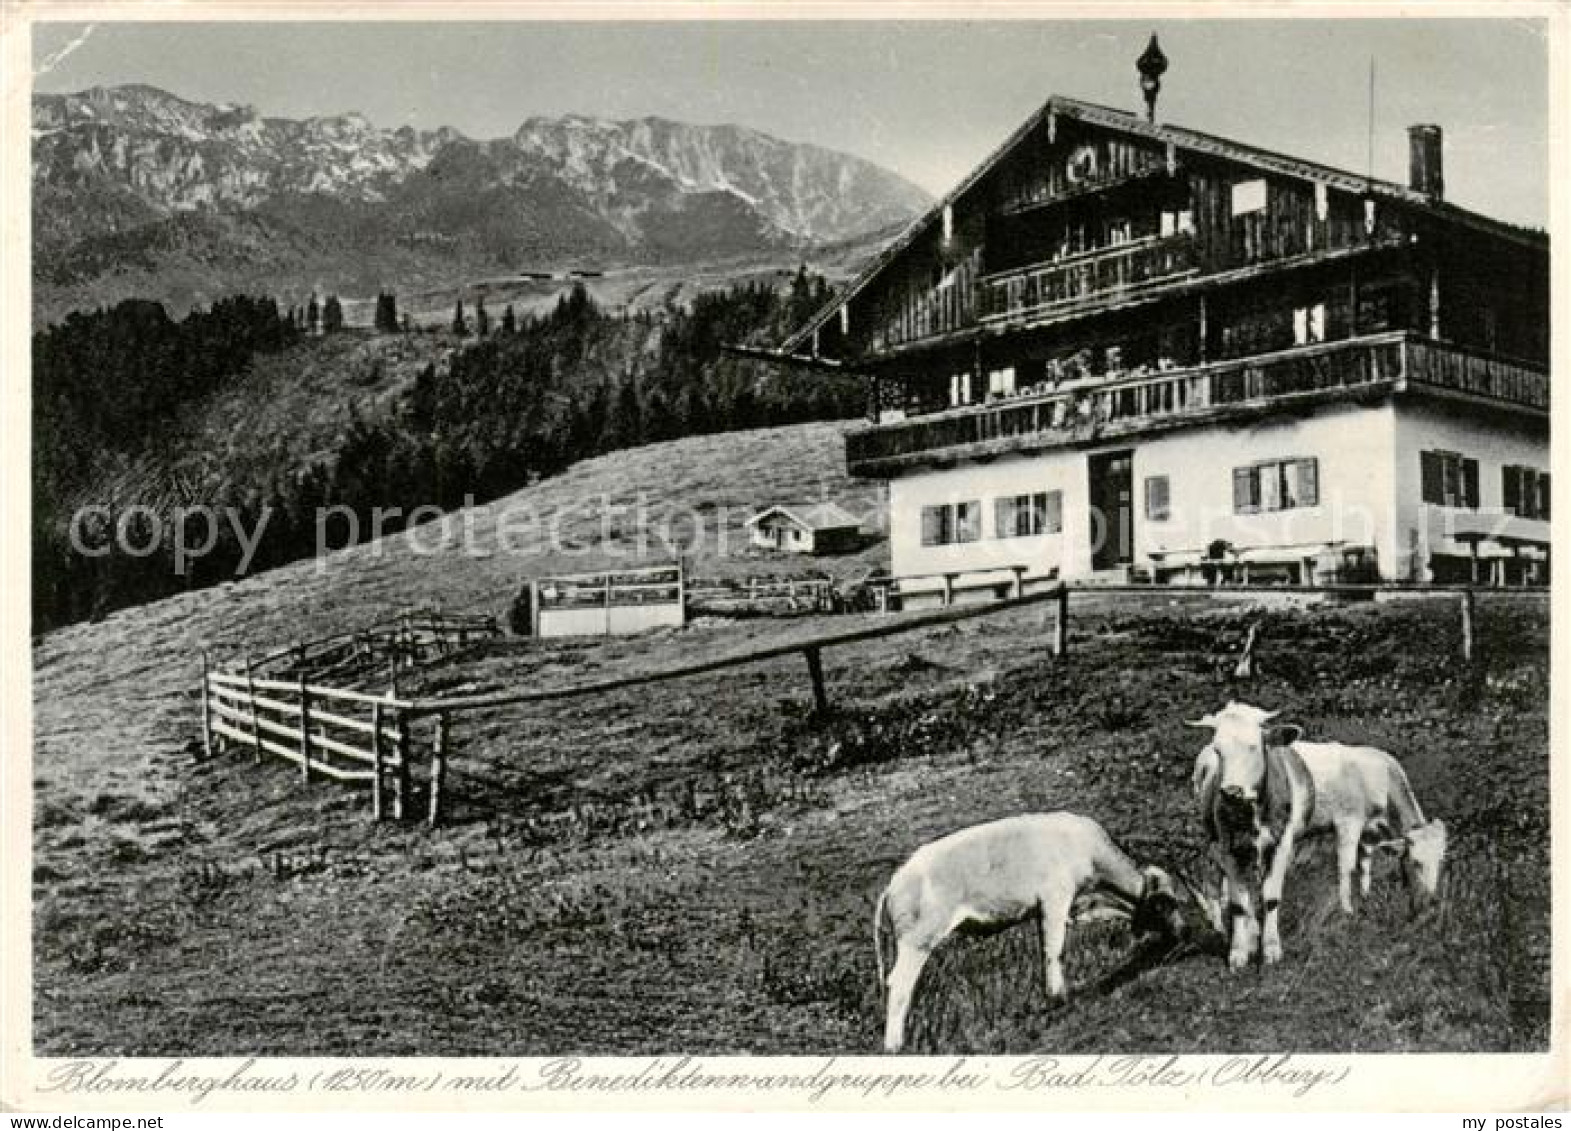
(320, 730)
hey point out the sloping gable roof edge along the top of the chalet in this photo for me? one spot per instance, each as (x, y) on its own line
(1184, 139)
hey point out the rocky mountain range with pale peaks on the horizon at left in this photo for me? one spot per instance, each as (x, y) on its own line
(141, 192)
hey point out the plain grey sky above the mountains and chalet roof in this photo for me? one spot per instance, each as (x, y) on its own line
(925, 98)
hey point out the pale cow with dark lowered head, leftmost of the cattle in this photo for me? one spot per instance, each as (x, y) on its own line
(989, 877)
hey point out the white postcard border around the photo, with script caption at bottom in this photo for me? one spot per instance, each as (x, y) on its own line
(1371, 1083)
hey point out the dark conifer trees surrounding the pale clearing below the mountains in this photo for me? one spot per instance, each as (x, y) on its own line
(521, 398)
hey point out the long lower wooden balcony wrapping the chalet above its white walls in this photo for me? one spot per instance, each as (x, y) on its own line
(1360, 368)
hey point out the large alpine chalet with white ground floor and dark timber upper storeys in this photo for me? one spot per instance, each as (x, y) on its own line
(1129, 351)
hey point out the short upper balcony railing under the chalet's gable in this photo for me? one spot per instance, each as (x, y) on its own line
(1044, 288)
